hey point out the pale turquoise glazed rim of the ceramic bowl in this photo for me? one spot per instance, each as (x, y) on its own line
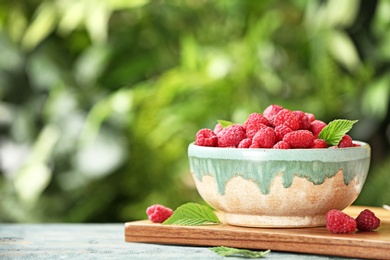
(259, 154)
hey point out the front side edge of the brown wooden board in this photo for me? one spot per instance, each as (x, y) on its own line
(145, 233)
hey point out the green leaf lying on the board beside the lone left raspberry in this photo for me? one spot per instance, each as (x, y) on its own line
(192, 214)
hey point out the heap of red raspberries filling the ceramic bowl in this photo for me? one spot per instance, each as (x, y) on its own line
(276, 127)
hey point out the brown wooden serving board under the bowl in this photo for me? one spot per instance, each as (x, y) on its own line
(372, 245)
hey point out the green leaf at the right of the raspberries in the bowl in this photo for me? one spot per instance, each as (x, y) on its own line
(335, 130)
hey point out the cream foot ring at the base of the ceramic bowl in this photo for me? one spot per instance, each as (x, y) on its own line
(274, 221)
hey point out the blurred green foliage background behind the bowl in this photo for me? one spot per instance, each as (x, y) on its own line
(100, 99)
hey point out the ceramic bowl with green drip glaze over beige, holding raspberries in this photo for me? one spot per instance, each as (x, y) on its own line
(279, 188)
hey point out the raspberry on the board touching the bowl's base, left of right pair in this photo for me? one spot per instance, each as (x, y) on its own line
(339, 222)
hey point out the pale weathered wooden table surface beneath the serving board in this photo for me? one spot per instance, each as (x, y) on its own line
(98, 241)
